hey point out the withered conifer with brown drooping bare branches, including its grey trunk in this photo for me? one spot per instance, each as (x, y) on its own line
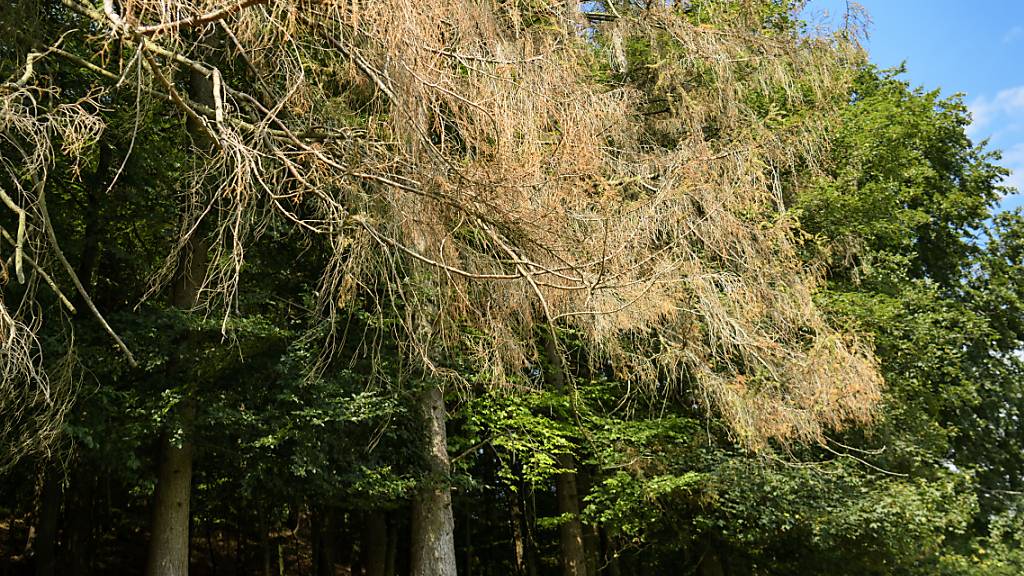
(481, 176)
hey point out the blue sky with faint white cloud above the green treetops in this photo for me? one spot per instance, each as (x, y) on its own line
(975, 48)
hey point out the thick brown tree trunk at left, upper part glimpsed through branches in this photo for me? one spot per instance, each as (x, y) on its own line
(168, 555)
